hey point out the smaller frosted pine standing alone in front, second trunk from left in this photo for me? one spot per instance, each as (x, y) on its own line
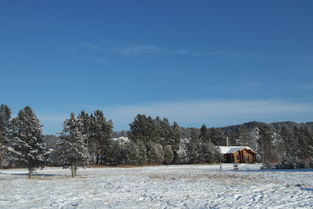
(73, 150)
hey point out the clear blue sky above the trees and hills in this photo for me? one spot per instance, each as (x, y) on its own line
(212, 62)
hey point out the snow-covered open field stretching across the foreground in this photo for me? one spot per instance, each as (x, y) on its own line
(182, 186)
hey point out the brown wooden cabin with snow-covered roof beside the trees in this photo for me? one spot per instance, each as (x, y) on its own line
(238, 154)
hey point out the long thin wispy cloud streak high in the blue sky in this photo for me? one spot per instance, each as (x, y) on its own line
(139, 49)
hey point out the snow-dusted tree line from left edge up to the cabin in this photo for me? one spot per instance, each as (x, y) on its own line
(88, 139)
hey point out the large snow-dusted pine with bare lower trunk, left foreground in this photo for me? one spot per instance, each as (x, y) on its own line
(26, 143)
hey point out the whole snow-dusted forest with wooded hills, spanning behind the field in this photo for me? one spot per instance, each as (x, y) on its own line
(89, 139)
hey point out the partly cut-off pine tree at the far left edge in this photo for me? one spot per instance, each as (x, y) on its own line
(5, 116)
